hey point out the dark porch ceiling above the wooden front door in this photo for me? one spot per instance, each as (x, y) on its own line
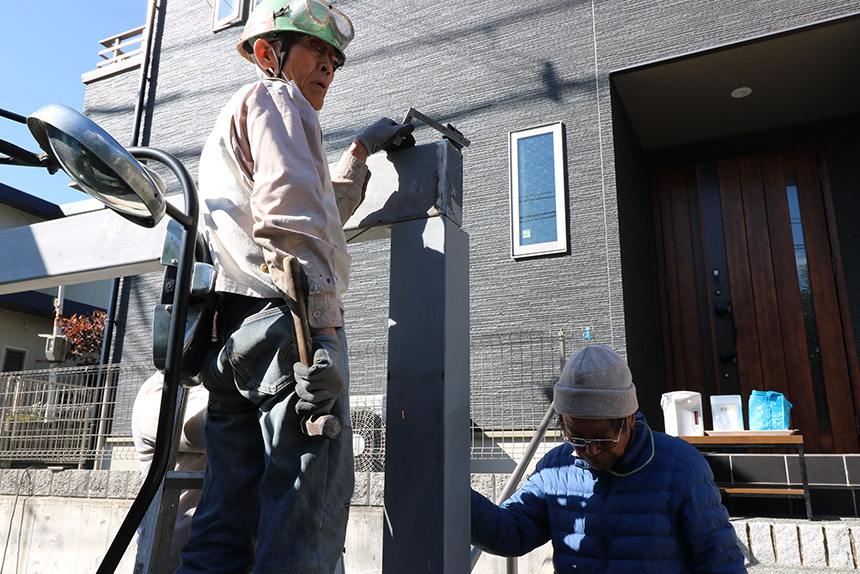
(796, 76)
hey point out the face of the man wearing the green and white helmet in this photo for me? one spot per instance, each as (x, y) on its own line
(310, 64)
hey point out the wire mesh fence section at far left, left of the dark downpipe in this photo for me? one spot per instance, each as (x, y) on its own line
(58, 416)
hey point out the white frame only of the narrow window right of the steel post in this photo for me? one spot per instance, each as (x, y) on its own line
(560, 244)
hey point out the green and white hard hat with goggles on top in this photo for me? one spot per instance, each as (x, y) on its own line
(312, 17)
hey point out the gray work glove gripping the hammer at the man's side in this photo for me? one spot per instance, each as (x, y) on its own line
(319, 385)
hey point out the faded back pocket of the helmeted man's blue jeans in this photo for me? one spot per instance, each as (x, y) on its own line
(262, 352)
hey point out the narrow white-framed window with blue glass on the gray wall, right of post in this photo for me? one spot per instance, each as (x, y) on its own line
(538, 207)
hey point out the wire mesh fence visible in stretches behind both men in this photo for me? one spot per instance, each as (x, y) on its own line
(65, 416)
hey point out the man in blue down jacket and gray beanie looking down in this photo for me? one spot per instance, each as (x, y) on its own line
(618, 497)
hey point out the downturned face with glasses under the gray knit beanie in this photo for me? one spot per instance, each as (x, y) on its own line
(600, 455)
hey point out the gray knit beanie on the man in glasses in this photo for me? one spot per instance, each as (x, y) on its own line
(595, 384)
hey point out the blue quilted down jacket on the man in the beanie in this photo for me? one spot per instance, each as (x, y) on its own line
(664, 516)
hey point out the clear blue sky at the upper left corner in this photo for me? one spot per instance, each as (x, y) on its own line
(45, 47)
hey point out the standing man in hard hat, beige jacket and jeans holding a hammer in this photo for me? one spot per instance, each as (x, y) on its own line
(275, 500)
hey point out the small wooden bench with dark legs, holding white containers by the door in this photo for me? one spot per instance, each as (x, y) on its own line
(754, 439)
